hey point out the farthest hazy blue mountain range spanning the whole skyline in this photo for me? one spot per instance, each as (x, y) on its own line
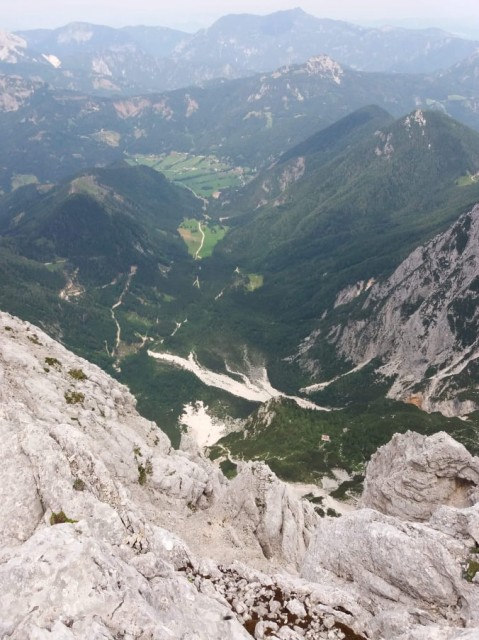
(108, 61)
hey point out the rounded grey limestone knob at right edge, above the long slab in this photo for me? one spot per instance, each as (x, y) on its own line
(413, 475)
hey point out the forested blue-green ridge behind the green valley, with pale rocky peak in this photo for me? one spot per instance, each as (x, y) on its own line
(249, 121)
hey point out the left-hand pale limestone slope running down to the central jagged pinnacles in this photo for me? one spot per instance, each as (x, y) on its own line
(93, 497)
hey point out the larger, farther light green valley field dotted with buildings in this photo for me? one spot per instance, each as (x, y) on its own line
(205, 175)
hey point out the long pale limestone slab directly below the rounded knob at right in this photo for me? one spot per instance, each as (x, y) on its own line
(390, 559)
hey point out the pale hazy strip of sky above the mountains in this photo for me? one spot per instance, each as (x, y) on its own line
(193, 14)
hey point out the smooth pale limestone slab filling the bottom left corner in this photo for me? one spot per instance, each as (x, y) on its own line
(66, 580)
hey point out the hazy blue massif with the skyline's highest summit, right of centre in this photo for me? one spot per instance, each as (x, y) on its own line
(262, 43)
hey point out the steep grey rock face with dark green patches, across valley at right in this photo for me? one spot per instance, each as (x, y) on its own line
(421, 323)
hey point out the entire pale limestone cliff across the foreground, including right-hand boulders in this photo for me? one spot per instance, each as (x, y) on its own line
(107, 532)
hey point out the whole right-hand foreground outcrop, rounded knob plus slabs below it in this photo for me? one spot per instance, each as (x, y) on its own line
(412, 558)
